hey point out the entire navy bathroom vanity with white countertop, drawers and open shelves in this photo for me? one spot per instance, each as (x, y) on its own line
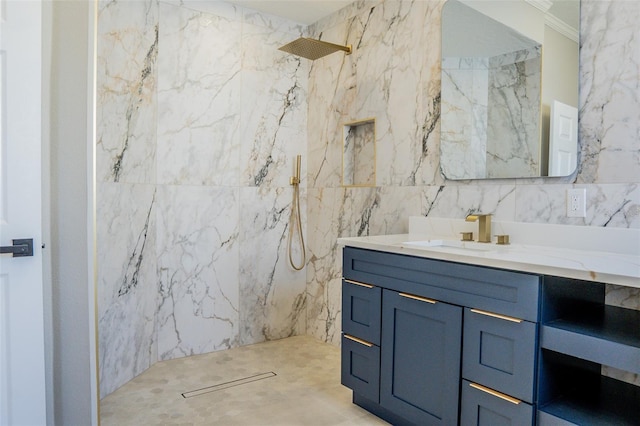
(450, 334)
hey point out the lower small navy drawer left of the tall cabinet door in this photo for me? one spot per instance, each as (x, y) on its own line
(360, 367)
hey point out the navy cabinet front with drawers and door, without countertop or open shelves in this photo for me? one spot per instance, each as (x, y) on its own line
(445, 326)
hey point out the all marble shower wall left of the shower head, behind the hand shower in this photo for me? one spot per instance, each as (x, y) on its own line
(200, 117)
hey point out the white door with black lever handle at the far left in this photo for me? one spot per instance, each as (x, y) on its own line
(22, 374)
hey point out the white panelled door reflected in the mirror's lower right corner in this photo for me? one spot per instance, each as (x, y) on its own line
(563, 140)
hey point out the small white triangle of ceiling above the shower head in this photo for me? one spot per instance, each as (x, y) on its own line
(302, 11)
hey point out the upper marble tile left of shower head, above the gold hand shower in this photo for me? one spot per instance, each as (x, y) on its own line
(273, 108)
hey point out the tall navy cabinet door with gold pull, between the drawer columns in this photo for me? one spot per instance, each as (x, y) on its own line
(420, 366)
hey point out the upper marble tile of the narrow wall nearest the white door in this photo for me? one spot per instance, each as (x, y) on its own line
(126, 91)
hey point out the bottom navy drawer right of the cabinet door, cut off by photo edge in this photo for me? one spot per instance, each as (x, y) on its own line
(481, 406)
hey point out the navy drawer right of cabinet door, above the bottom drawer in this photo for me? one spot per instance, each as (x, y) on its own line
(499, 352)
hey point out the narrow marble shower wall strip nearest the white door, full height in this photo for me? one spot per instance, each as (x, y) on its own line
(126, 199)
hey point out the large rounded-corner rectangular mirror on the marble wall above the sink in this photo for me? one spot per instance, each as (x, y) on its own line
(509, 88)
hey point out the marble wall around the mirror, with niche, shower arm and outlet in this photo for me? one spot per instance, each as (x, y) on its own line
(394, 76)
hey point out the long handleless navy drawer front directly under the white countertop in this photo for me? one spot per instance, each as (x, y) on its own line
(511, 293)
